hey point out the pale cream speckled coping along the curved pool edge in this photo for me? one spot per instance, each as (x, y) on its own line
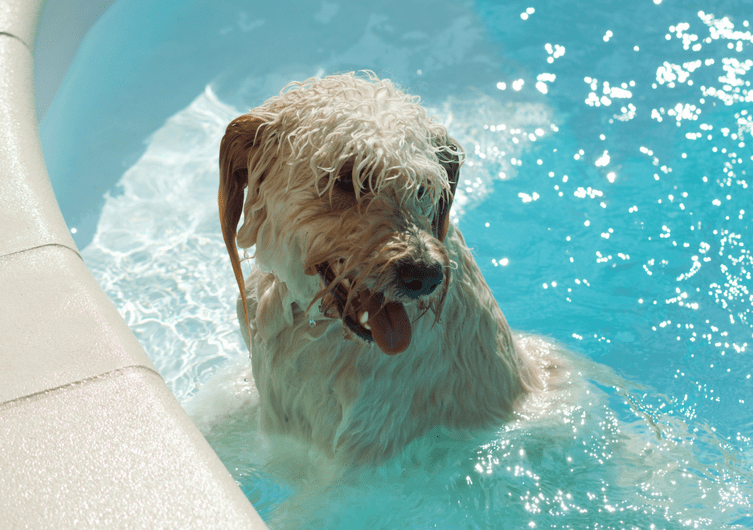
(90, 435)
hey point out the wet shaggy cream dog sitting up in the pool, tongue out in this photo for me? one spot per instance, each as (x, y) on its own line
(367, 319)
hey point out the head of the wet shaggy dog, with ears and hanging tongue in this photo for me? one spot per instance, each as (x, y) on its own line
(349, 193)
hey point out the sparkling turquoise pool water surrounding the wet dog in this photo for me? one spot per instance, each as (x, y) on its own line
(607, 198)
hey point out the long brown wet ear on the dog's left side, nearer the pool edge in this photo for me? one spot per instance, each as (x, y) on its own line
(240, 137)
